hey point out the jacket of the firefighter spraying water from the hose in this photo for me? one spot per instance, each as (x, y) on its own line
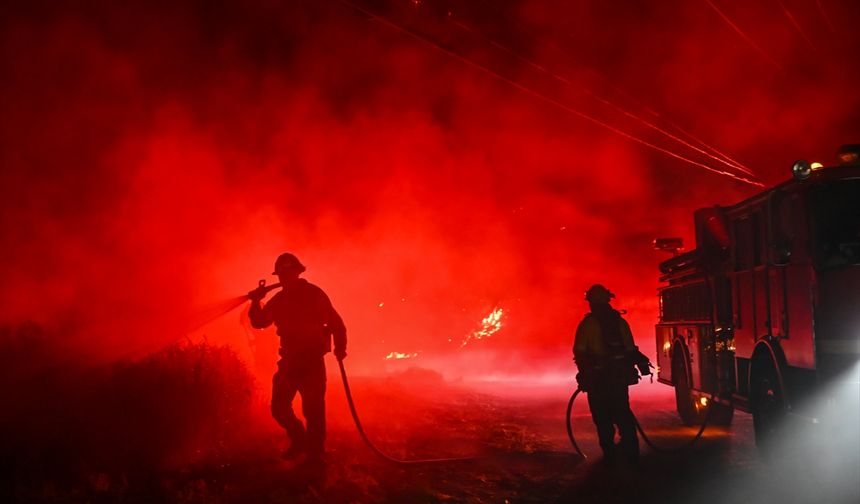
(305, 319)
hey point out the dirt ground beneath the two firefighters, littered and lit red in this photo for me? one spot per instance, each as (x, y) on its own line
(522, 455)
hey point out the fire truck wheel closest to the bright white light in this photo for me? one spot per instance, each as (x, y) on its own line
(768, 405)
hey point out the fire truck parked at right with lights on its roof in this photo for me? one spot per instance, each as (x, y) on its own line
(765, 312)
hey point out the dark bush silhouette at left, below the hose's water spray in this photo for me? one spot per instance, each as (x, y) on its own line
(64, 422)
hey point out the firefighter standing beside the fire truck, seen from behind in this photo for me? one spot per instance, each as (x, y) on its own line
(605, 356)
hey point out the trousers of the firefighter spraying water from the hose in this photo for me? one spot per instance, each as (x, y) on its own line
(307, 377)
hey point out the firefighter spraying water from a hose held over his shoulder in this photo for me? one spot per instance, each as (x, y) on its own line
(306, 323)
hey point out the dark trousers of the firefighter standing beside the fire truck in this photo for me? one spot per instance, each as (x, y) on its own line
(610, 407)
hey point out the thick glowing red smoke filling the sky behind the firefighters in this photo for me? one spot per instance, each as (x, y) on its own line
(157, 157)
